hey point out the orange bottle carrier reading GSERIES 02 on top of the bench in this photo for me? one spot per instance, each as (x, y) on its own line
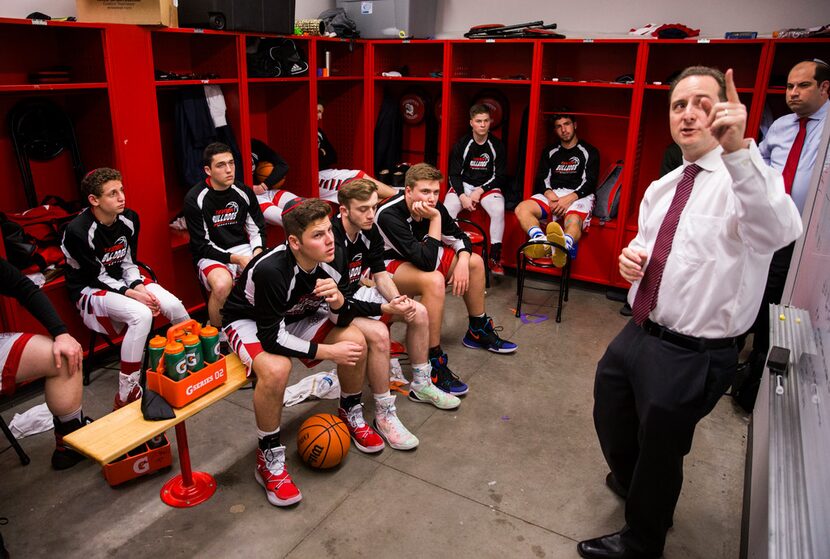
(190, 386)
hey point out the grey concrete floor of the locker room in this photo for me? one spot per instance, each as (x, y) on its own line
(515, 472)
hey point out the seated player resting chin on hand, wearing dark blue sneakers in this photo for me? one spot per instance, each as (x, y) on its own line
(420, 239)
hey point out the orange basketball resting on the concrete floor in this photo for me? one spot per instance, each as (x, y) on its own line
(323, 441)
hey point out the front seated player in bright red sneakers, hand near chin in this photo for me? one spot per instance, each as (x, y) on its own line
(287, 304)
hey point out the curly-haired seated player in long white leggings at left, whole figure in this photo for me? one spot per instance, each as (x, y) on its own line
(104, 282)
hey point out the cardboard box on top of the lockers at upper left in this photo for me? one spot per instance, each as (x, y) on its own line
(137, 12)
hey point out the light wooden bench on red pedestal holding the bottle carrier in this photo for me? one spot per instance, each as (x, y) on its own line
(113, 435)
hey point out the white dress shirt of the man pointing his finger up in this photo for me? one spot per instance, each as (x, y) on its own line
(737, 215)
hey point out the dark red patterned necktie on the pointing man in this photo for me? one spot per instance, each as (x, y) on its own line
(646, 298)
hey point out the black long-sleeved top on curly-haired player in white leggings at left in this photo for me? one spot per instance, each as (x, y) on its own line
(101, 256)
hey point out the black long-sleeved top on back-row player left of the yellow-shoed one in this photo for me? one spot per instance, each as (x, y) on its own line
(479, 165)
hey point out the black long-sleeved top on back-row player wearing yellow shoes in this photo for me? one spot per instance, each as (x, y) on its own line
(575, 168)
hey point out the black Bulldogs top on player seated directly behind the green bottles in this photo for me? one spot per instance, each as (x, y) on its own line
(219, 220)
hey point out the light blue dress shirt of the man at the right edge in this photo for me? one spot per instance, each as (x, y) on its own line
(775, 148)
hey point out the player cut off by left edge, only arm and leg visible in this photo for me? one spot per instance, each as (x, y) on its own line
(57, 359)
